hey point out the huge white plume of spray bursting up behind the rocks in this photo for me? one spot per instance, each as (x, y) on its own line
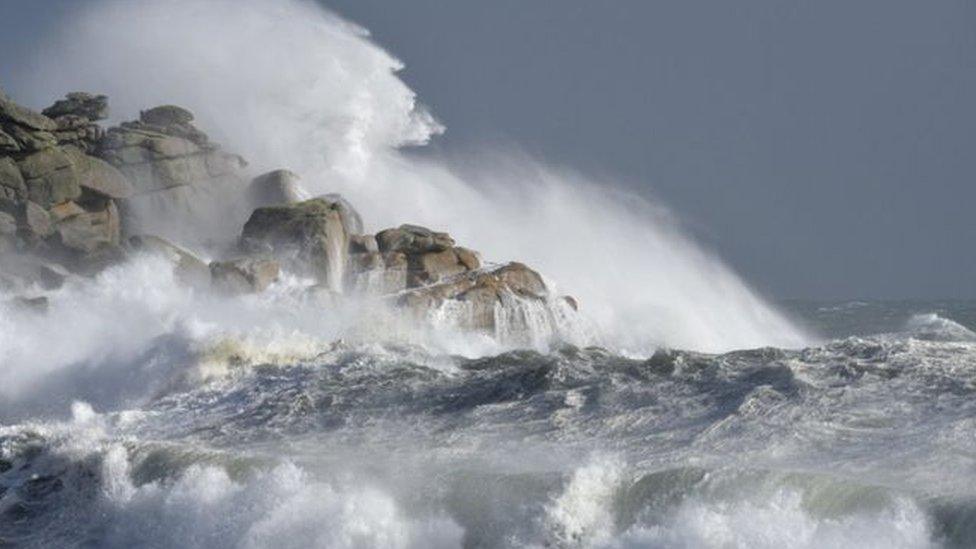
(288, 84)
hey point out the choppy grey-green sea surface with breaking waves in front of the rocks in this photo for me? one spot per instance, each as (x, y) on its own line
(863, 439)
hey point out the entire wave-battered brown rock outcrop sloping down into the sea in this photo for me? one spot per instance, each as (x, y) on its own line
(76, 198)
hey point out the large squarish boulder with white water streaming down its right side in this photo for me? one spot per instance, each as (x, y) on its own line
(312, 236)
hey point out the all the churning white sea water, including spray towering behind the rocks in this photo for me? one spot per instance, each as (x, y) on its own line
(138, 413)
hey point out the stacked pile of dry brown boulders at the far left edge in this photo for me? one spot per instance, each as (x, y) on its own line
(57, 201)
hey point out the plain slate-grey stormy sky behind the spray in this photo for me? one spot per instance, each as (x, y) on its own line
(825, 149)
